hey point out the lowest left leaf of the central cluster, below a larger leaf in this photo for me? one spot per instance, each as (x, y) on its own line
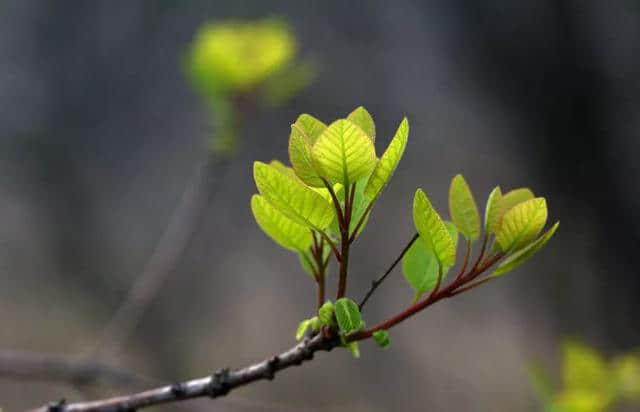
(284, 231)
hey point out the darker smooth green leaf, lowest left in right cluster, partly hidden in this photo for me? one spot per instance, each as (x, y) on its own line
(420, 266)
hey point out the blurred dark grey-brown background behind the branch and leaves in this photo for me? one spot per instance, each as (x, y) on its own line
(101, 133)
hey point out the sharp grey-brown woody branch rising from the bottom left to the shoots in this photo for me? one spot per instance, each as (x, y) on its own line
(221, 383)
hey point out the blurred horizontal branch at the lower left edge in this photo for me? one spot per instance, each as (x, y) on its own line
(50, 367)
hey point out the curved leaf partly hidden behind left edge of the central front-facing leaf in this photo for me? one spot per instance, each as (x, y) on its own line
(304, 132)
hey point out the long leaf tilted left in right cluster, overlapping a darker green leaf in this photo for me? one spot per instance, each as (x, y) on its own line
(432, 230)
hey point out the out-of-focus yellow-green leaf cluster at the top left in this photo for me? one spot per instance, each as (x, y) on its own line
(238, 65)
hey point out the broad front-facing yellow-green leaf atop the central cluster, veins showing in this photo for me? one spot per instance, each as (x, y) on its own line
(343, 153)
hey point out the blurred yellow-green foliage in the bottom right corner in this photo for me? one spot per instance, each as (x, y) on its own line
(590, 383)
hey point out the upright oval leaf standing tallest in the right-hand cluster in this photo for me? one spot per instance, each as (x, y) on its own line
(463, 209)
